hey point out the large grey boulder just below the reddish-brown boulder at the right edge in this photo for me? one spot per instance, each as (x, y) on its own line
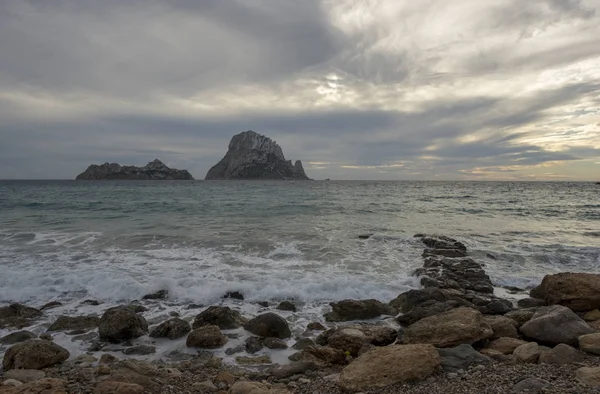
(555, 324)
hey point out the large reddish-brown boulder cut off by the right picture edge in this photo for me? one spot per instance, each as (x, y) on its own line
(579, 292)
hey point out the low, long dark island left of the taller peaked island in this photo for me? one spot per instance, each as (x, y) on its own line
(155, 170)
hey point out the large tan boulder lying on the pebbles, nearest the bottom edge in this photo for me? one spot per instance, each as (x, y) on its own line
(388, 365)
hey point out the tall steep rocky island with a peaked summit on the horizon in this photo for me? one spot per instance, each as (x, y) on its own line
(254, 156)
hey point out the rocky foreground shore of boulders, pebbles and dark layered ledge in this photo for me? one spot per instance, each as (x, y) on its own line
(452, 335)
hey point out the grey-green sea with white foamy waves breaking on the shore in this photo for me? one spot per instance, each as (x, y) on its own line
(115, 241)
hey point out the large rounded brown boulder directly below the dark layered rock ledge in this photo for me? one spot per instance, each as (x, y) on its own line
(457, 326)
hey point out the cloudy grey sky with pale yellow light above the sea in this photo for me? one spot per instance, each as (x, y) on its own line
(356, 89)
